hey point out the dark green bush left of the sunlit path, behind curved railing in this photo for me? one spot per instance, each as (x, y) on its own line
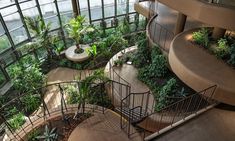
(31, 102)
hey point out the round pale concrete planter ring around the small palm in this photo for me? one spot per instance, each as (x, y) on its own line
(71, 55)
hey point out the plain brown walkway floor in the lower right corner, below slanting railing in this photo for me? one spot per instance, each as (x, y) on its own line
(215, 125)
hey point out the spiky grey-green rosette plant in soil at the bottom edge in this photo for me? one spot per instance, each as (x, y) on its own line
(49, 135)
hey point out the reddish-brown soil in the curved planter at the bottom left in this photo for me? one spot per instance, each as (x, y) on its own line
(64, 127)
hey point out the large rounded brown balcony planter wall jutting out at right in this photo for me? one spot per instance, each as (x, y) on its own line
(199, 69)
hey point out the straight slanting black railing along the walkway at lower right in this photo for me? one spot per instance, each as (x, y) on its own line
(179, 112)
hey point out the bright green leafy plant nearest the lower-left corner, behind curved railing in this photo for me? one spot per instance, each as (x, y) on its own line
(16, 120)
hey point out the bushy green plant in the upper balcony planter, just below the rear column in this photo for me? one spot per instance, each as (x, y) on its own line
(222, 50)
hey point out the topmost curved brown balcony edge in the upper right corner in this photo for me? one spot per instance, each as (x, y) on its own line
(212, 14)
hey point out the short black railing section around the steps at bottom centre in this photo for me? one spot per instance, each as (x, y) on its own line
(134, 108)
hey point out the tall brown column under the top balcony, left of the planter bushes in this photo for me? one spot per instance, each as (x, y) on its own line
(181, 20)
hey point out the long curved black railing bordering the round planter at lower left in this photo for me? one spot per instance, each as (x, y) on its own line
(54, 101)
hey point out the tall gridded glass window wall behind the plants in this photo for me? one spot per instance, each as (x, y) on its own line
(14, 32)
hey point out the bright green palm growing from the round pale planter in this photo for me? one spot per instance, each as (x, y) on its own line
(76, 30)
